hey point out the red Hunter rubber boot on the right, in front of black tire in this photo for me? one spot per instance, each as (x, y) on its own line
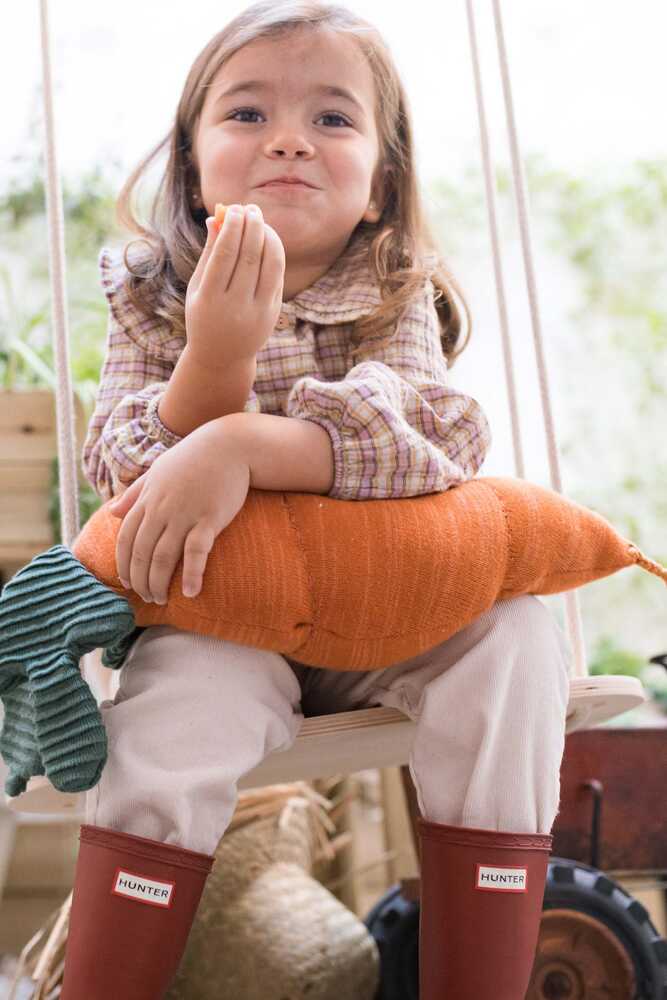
(481, 903)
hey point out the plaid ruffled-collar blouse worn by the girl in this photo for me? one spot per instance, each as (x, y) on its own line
(397, 427)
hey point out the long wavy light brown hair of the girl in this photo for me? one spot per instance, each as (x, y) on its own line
(402, 251)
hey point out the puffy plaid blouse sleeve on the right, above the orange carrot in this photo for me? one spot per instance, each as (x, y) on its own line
(398, 428)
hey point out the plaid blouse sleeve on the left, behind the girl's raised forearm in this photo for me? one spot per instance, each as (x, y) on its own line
(125, 434)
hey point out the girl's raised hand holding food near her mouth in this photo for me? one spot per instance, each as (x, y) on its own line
(235, 294)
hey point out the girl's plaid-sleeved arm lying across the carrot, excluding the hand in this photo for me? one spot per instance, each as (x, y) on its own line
(392, 427)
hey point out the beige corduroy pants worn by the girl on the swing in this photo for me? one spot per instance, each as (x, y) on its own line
(193, 713)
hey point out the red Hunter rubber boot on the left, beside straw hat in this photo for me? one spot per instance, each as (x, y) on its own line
(132, 909)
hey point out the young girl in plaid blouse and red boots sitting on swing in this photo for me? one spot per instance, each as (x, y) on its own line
(305, 346)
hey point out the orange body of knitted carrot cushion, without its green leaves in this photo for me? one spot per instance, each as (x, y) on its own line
(359, 585)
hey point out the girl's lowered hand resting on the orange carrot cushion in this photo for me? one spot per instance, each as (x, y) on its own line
(177, 509)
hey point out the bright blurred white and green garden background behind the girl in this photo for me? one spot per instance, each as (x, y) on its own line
(588, 83)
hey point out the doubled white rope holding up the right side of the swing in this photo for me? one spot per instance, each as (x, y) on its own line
(571, 597)
